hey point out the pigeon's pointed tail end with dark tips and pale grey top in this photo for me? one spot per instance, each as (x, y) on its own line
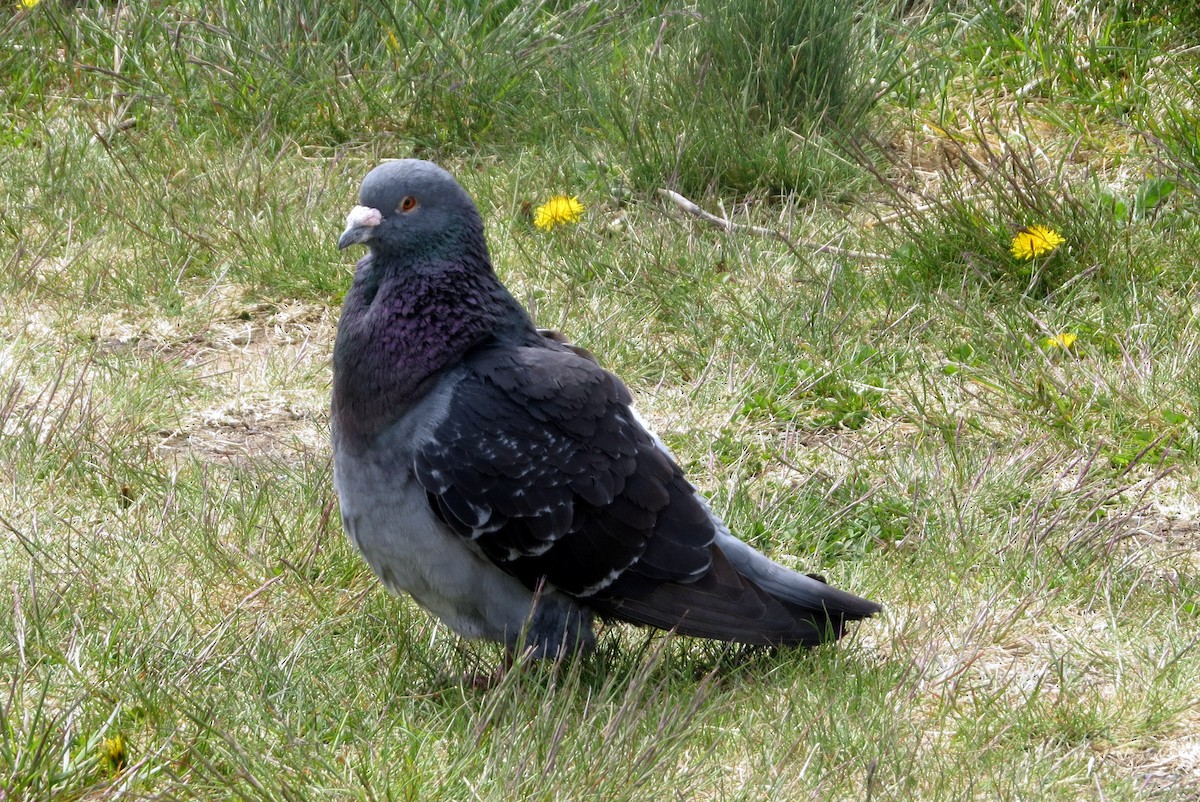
(746, 598)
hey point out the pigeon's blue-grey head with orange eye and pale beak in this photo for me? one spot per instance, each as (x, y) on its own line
(413, 208)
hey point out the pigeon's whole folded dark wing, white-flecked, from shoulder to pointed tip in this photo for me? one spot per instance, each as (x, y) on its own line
(541, 462)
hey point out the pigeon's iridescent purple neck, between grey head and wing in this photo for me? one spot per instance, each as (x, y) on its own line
(401, 328)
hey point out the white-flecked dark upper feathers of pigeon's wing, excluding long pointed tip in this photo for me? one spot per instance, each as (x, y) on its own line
(541, 463)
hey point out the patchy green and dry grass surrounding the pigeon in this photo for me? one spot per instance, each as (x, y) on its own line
(173, 573)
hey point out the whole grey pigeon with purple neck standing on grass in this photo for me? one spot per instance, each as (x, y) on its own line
(502, 478)
